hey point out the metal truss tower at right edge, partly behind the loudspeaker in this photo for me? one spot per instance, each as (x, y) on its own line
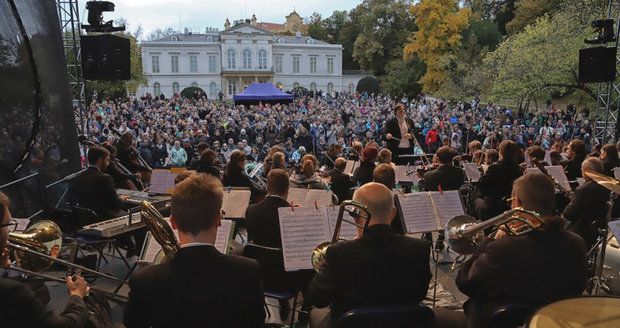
(608, 97)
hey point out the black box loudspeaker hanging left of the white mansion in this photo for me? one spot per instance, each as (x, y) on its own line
(105, 57)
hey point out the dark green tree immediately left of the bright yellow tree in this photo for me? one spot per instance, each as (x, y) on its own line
(384, 28)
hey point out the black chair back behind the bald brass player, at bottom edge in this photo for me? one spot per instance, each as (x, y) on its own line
(415, 315)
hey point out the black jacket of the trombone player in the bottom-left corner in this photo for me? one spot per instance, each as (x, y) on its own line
(20, 308)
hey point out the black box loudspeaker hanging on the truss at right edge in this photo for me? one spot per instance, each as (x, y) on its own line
(597, 64)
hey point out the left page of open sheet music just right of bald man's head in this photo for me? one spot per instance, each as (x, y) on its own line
(415, 209)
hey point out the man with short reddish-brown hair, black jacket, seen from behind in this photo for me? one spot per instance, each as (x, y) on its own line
(199, 287)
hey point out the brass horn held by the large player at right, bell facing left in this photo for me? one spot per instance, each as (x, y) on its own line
(464, 233)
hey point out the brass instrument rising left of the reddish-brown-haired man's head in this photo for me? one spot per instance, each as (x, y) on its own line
(161, 231)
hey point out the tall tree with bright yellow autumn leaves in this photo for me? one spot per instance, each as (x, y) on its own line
(440, 23)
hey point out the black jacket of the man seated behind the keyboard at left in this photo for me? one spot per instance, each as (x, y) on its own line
(95, 190)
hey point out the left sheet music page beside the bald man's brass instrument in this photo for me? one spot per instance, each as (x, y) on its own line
(301, 231)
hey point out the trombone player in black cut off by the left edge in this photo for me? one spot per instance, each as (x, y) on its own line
(20, 307)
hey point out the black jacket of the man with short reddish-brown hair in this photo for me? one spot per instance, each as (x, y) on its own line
(199, 287)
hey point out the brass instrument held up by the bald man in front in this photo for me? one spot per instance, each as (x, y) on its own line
(356, 210)
